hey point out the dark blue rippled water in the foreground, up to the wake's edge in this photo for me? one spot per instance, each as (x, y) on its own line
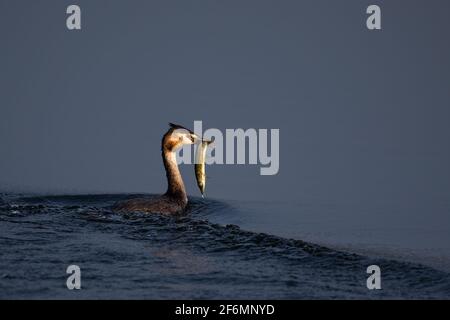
(151, 256)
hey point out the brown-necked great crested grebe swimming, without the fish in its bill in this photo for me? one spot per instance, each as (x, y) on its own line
(175, 199)
